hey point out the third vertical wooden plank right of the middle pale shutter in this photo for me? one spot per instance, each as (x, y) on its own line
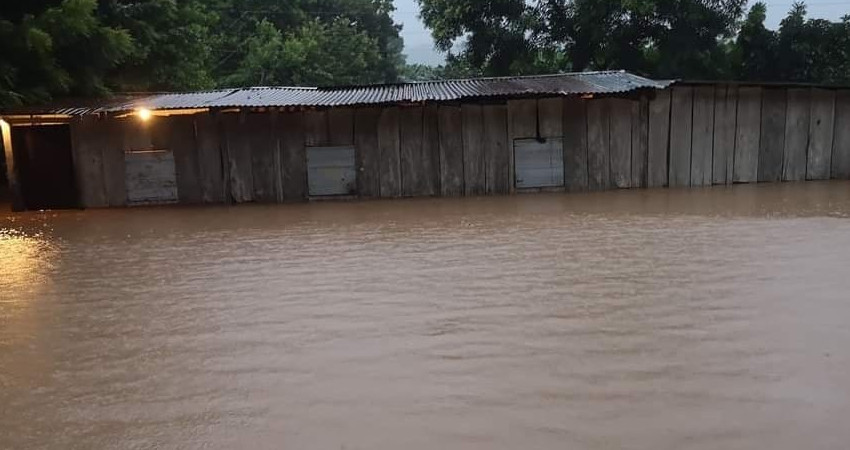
(410, 154)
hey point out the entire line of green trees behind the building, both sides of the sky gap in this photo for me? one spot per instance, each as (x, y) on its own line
(62, 48)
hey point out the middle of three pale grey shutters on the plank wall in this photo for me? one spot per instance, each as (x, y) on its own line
(331, 171)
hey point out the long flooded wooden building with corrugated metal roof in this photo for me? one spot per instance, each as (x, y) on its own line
(571, 132)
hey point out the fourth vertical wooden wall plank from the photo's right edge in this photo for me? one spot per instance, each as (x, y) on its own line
(772, 142)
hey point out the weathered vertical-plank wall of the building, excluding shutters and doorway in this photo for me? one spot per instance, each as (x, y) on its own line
(688, 135)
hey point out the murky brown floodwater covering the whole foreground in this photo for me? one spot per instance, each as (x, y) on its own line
(701, 319)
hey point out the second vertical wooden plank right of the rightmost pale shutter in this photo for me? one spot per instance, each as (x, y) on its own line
(598, 154)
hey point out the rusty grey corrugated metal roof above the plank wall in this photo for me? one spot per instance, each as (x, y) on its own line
(578, 83)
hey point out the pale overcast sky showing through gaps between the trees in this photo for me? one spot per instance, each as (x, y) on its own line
(420, 49)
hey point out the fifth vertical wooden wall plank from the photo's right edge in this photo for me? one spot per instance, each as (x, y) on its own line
(747, 135)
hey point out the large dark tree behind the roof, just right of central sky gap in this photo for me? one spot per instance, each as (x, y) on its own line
(657, 37)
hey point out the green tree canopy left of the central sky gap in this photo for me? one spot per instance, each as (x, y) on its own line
(53, 48)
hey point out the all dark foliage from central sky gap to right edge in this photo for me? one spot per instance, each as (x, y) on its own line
(696, 39)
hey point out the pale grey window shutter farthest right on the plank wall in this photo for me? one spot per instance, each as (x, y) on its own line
(539, 164)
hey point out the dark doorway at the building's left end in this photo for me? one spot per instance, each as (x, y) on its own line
(44, 166)
